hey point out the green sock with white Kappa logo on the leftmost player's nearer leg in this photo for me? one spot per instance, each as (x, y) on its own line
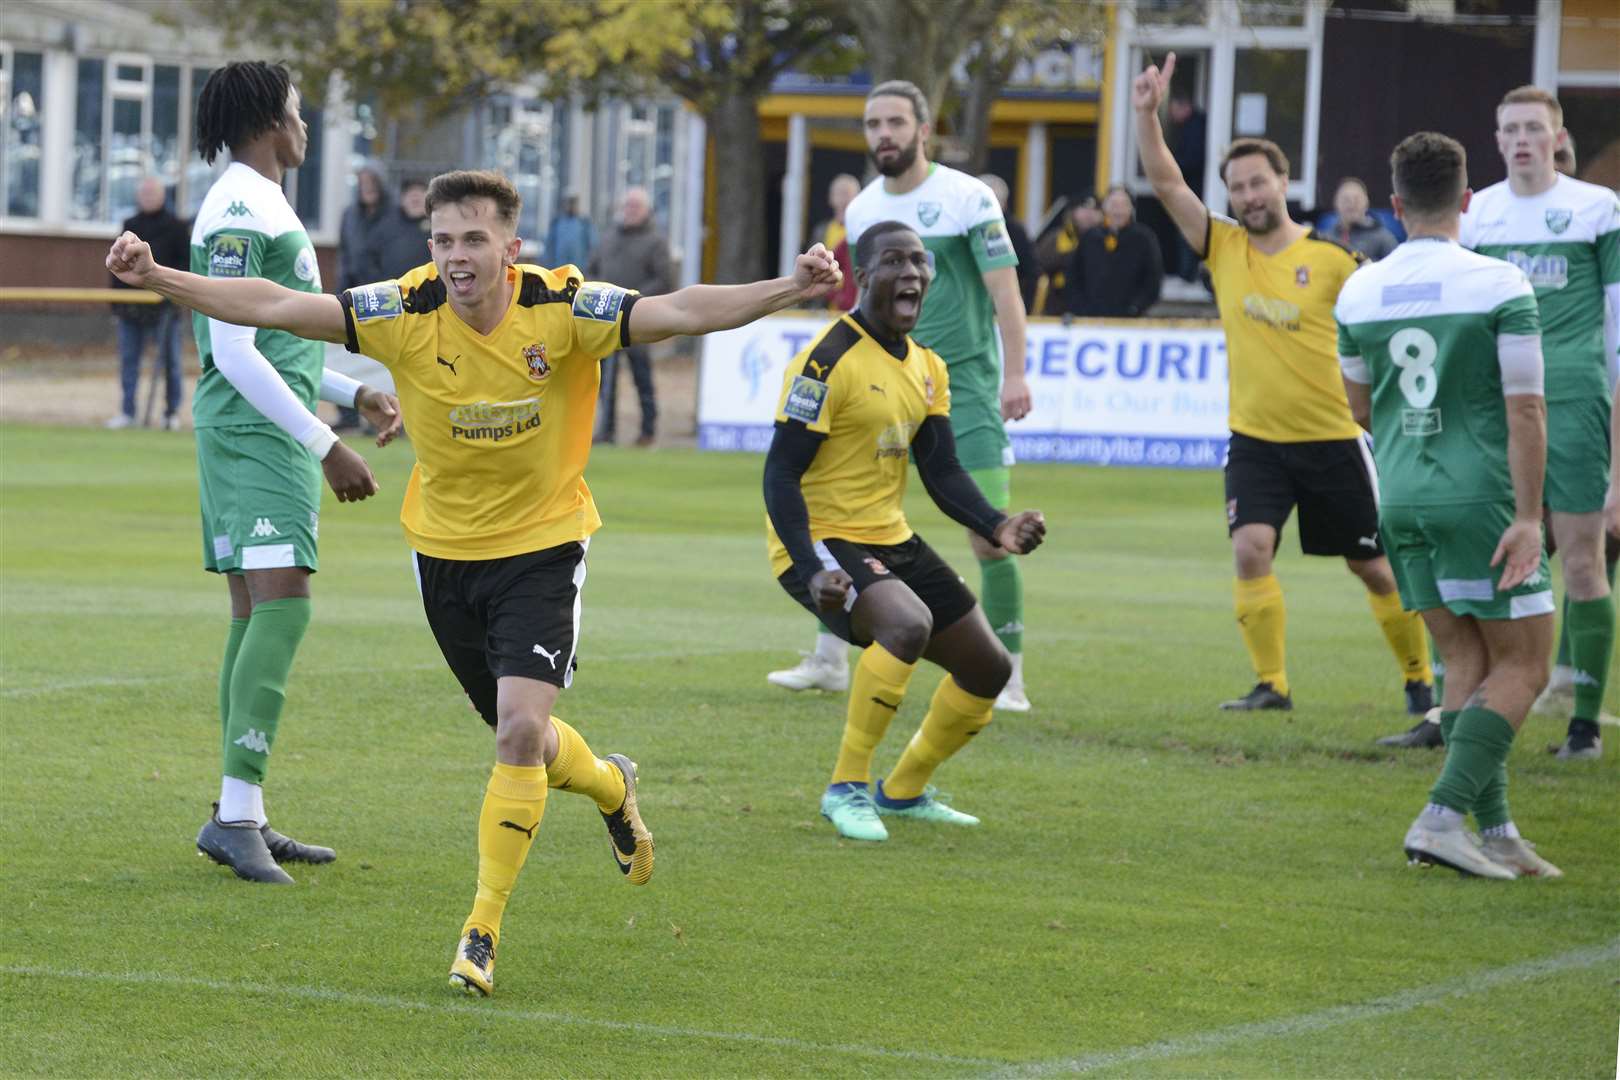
(258, 684)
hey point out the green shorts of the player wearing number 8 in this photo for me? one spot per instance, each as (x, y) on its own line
(1443, 559)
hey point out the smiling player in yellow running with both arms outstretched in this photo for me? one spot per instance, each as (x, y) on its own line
(498, 372)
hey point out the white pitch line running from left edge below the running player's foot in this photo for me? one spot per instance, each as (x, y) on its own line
(493, 1013)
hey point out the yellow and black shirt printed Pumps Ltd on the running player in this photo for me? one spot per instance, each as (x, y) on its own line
(503, 422)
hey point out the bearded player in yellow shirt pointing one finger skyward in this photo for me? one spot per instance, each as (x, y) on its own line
(1294, 441)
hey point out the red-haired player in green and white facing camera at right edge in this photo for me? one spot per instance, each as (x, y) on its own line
(1566, 236)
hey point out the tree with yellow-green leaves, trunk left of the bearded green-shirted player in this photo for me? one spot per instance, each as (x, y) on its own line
(718, 56)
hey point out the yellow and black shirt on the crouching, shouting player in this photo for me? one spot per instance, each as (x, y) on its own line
(869, 404)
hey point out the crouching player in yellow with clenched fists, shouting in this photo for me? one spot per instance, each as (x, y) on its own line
(855, 406)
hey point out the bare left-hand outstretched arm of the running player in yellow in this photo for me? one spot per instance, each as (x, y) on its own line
(241, 302)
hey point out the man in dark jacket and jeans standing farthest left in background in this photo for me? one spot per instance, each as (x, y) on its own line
(171, 242)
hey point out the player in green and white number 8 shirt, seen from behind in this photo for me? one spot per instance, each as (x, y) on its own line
(1441, 352)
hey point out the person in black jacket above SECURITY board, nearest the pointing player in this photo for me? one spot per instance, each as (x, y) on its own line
(1119, 268)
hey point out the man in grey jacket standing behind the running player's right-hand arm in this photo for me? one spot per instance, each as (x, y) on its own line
(633, 255)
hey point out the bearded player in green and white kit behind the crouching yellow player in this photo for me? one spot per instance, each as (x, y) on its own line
(974, 294)
